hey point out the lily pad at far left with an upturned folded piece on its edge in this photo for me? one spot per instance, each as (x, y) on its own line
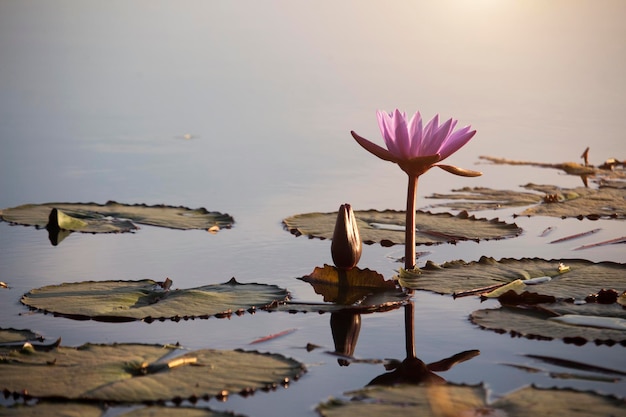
(113, 217)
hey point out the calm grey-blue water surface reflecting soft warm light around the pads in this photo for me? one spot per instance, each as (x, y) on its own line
(96, 99)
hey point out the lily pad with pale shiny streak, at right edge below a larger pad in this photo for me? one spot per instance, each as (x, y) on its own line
(577, 324)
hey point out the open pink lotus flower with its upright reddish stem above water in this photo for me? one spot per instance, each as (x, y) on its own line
(417, 148)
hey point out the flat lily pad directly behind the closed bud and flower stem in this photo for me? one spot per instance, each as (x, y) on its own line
(387, 227)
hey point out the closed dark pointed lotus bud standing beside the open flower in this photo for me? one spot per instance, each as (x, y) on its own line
(346, 246)
